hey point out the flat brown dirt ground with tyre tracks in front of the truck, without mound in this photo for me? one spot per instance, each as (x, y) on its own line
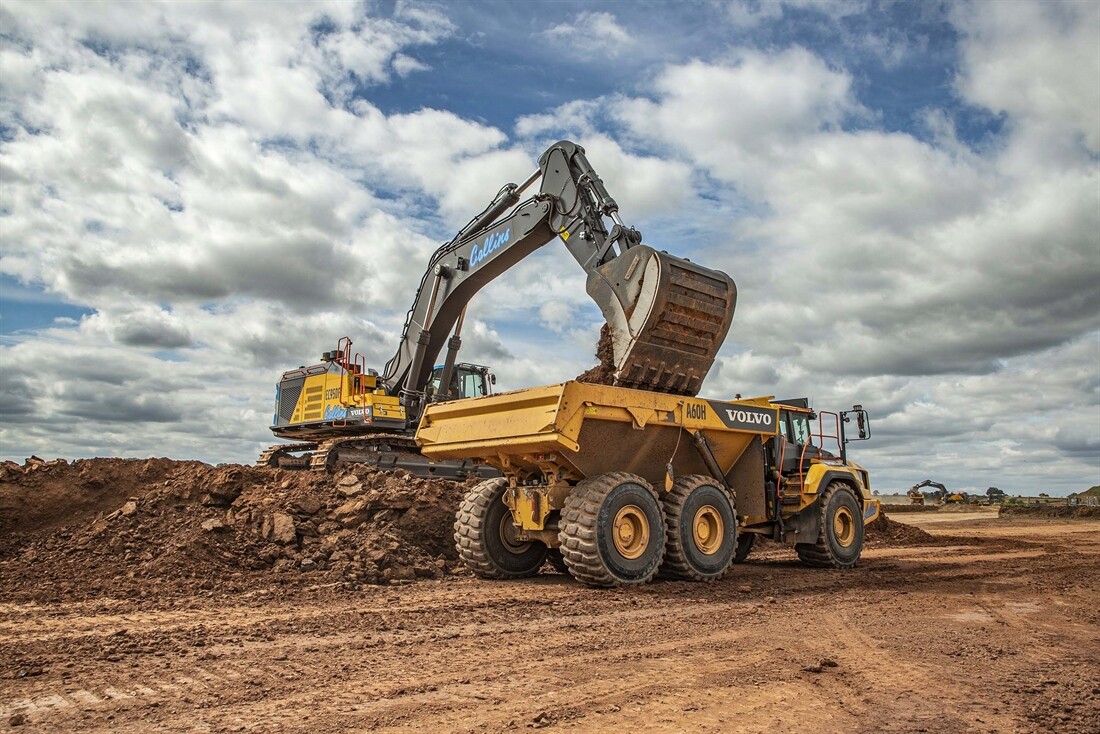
(995, 629)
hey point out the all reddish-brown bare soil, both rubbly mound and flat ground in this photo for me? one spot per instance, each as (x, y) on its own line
(173, 597)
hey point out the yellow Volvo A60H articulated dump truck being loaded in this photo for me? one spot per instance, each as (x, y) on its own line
(618, 486)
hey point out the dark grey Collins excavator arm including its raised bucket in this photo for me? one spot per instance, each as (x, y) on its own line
(668, 317)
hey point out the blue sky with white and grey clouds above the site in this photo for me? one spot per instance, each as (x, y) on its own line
(195, 198)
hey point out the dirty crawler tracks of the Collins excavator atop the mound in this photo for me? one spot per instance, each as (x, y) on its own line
(384, 452)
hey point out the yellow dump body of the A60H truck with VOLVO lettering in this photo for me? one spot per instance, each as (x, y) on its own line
(592, 430)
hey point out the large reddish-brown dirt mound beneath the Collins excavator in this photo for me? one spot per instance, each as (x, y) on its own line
(96, 525)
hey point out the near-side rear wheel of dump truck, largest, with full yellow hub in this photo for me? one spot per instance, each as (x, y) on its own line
(613, 531)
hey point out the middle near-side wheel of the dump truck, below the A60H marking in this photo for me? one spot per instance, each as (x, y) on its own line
(702, 530)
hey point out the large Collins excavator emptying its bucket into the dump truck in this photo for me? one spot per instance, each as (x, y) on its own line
(667, 319)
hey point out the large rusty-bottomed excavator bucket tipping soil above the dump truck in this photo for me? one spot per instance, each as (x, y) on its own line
(668, 319)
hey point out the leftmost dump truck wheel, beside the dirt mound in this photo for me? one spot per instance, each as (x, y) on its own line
(486, 536)
